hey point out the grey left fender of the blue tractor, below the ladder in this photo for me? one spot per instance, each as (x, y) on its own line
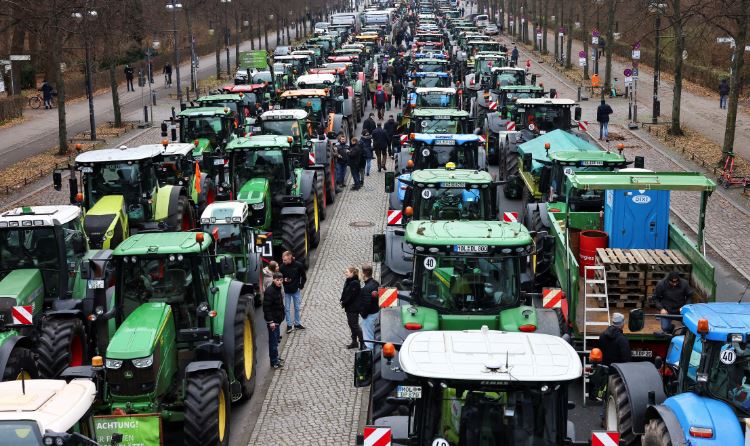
(639, 379)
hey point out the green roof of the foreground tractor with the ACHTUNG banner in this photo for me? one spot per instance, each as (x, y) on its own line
(157, 243)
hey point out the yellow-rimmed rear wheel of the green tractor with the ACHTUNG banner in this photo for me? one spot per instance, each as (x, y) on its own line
(245, 352)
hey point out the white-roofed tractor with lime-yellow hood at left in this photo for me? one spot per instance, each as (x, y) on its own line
(122, 195)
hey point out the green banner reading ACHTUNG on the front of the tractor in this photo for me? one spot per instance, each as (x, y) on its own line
(141, 430)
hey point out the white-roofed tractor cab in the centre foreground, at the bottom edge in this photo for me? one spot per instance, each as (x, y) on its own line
(477, 387)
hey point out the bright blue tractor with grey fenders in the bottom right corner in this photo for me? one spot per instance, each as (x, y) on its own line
(699, 394)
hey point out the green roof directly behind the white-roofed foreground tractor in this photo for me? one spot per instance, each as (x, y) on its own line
(486, 233)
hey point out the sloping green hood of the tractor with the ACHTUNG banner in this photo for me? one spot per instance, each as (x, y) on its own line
(136, 337)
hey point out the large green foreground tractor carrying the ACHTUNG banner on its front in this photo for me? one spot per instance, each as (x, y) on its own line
(184, 348)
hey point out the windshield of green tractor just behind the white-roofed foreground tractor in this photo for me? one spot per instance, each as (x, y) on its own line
(468, 284)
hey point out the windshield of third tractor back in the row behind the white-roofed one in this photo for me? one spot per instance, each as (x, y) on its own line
(435, 203)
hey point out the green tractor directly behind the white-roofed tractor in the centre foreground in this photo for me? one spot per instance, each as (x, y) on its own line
(466, 274)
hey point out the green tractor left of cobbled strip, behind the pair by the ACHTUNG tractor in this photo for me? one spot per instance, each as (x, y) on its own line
(267, 172)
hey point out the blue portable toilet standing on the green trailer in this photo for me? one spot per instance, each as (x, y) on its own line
(637, 219)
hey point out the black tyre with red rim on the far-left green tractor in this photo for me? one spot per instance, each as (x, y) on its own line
(62, 343)
